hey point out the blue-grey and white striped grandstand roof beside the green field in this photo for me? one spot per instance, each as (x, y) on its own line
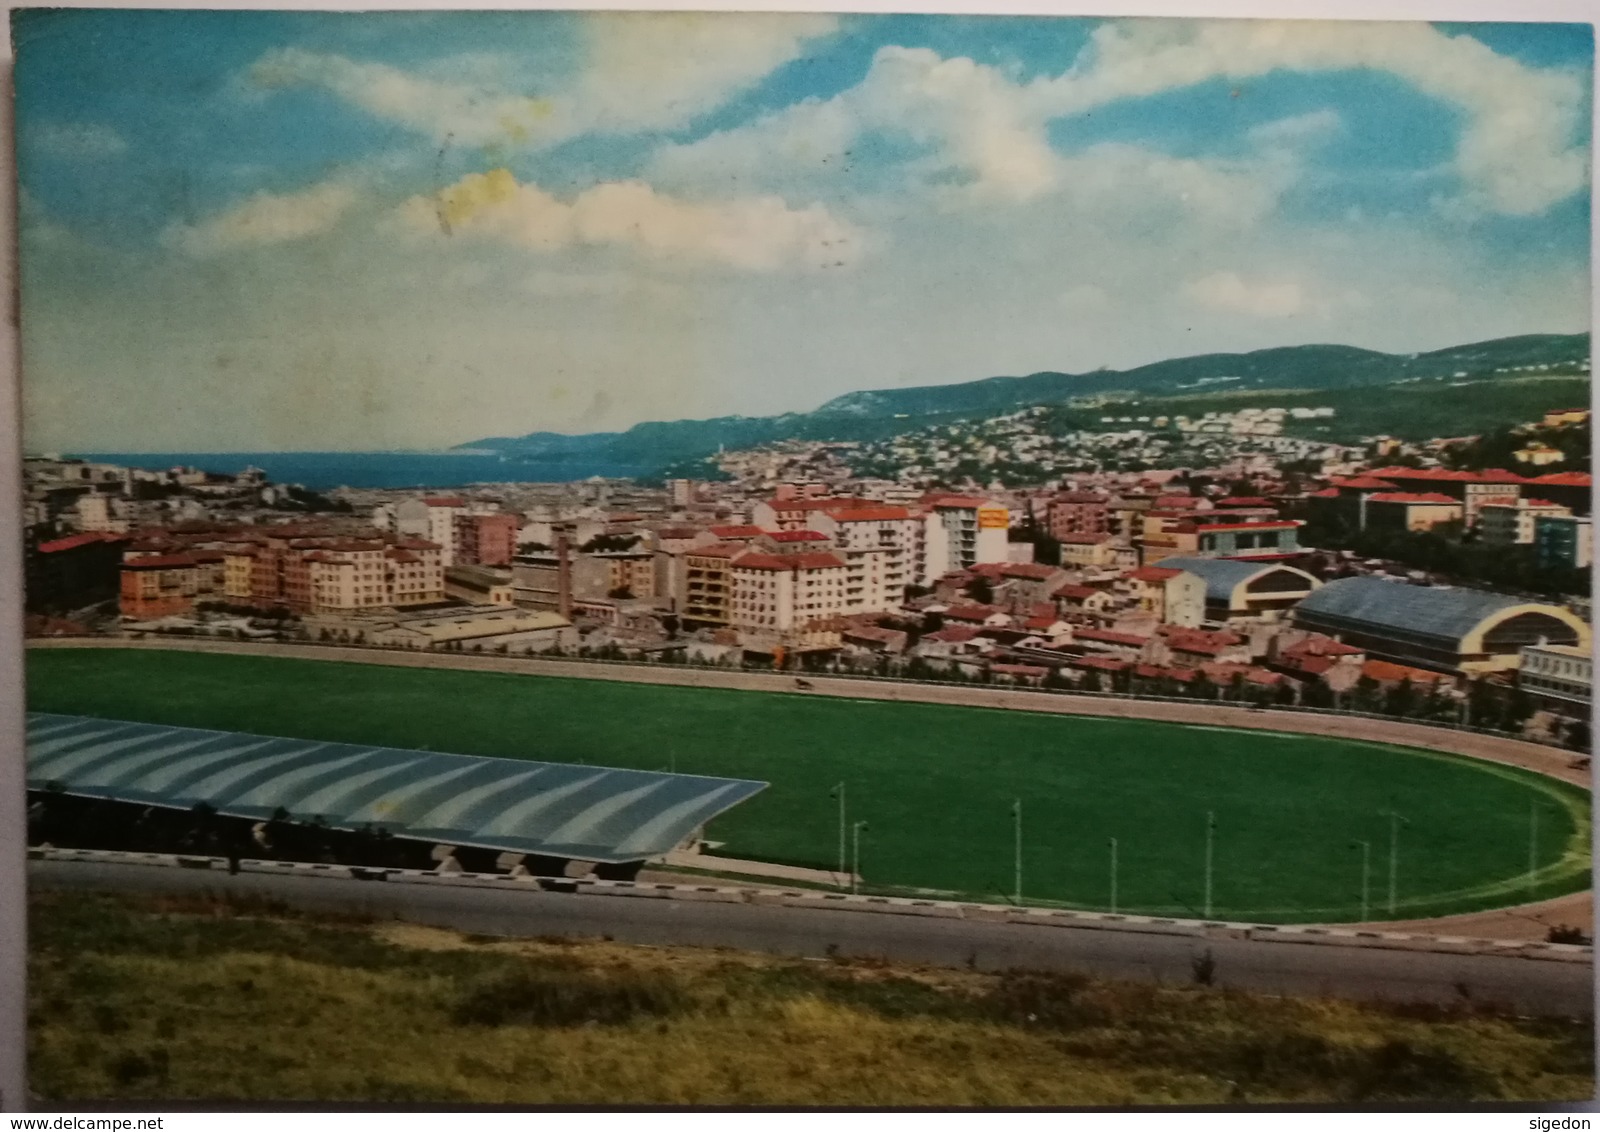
(585, 813)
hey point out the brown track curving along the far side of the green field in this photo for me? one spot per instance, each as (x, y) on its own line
(1532, 757)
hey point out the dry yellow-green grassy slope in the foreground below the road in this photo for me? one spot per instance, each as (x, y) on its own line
(222, 998)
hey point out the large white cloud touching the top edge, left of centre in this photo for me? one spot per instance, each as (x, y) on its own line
(641, 71)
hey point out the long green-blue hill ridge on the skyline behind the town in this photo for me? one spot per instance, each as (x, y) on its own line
(871, 415)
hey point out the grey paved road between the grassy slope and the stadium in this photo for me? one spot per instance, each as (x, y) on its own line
(1526, 986)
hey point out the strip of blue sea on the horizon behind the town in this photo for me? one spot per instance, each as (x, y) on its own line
(327, 471)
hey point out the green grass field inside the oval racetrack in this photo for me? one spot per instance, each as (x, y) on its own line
(937, 784)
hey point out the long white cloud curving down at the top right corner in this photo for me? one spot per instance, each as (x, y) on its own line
(1518, 151)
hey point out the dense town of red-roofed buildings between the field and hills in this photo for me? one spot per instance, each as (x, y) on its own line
(1196, 581)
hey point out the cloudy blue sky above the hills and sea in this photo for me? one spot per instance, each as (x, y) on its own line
(370, 231)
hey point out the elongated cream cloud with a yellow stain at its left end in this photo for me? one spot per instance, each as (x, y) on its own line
(754, 234)
